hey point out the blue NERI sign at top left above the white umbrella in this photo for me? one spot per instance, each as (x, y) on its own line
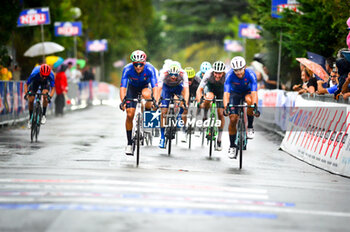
(34, 17)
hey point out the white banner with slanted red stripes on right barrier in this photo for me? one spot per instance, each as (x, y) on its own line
(319, 135)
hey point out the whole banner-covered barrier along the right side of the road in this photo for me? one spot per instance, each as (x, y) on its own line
(314, 128)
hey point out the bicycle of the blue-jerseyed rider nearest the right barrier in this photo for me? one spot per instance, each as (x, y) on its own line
(241, 138)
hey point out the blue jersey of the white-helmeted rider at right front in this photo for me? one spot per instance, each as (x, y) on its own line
(240, 85)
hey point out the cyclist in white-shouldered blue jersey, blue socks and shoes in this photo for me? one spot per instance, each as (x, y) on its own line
(174, 81)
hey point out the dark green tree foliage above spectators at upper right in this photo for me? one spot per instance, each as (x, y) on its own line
(321, 28)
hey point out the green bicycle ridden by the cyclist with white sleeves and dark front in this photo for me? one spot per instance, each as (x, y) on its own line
(212, 130)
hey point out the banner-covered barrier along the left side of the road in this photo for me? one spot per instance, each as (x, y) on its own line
(14, 108)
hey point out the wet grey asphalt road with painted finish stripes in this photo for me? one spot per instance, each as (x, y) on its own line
(77, 178)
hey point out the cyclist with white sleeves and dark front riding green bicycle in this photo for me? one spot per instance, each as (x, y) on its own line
(213, 85)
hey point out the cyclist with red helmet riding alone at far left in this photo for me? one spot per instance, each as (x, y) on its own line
(43, 77)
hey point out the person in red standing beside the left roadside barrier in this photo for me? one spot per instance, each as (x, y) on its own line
(61, 89)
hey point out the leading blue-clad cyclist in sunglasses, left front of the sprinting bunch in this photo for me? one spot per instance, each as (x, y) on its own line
(135, 79)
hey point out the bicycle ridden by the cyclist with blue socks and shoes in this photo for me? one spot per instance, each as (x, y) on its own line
(171, 117)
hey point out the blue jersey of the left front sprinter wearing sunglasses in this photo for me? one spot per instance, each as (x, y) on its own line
(130, 76)
